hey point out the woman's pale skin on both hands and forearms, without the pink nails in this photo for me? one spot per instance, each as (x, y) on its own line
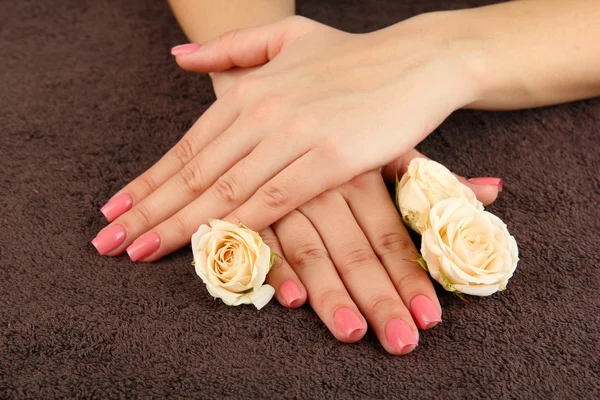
(322, 89)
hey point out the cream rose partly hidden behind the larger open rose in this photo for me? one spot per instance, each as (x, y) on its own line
(425, 183)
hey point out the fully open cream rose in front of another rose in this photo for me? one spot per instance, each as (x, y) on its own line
(468, 250)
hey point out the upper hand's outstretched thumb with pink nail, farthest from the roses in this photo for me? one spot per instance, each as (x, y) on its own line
(244, 48)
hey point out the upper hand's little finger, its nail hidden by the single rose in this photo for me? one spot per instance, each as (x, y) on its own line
(292, 187)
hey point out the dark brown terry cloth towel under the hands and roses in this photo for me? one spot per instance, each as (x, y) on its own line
(90, 98)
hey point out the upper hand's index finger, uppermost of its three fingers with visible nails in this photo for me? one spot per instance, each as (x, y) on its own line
(217, 119)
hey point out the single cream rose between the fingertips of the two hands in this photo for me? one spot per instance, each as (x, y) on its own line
(233, 262)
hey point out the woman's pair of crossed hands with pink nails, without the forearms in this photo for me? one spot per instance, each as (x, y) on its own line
(359, 276)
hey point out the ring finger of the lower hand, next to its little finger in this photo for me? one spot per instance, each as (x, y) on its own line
(327, 295)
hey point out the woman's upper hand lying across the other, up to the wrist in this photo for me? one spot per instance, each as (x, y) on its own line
(327, 107)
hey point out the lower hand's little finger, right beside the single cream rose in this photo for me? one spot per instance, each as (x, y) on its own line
(288, 289)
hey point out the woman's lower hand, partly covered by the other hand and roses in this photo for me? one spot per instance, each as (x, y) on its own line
(348, 251)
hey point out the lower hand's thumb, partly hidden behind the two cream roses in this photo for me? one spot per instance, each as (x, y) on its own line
(485, 188)
